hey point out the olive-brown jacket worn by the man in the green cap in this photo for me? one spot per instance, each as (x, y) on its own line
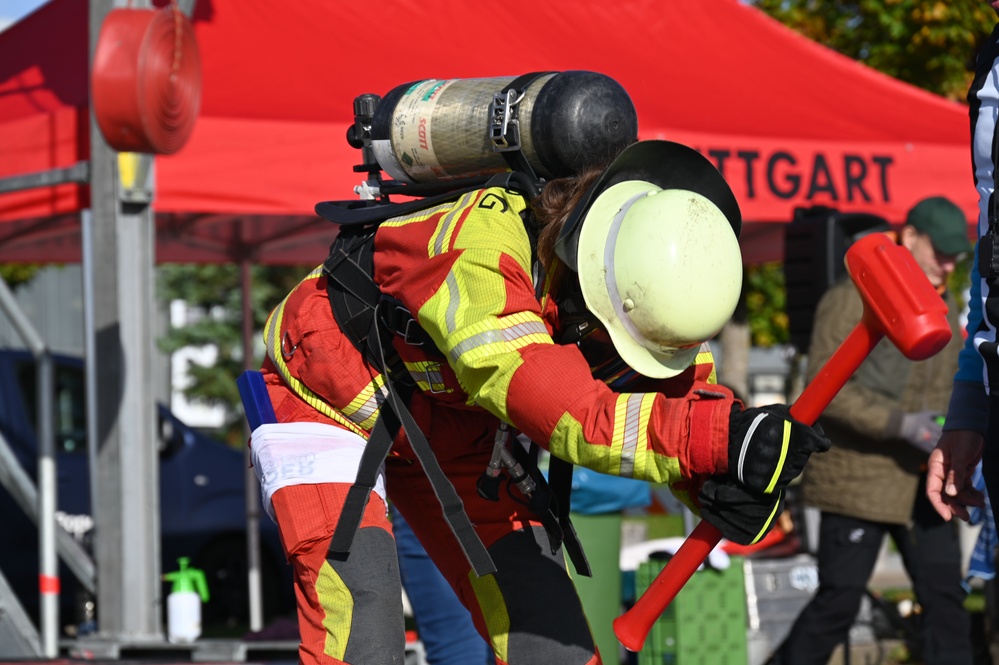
(869, 473)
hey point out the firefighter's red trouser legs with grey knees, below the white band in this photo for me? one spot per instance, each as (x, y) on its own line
(350, 608)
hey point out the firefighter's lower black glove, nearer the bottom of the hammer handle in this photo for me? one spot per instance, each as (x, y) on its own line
(743, 516)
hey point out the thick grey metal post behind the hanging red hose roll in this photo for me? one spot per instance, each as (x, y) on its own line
(125, 477)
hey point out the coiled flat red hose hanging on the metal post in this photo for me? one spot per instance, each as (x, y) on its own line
(146, 80)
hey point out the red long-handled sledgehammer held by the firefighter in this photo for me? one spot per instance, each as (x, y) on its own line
(900, 303)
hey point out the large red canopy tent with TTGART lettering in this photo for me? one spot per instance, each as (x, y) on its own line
(788, 122)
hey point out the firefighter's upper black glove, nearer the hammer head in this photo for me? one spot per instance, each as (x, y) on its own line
(767, 448)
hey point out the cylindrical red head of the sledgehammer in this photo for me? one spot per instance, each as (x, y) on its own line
(899, 300)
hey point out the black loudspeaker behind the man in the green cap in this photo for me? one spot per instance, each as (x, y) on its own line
(815, 243)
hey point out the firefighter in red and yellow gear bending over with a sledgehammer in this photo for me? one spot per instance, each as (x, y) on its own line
(603, 363)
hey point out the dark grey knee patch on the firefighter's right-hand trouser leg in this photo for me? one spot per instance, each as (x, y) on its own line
(547, 624)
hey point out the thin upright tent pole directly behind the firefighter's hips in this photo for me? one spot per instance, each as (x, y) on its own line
(252, 488)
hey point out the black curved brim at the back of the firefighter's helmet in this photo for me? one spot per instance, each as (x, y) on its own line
(667, 165)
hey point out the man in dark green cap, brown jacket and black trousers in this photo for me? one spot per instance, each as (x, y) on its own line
(883, 425)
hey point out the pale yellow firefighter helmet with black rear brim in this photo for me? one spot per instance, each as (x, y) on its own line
(657, 255)
